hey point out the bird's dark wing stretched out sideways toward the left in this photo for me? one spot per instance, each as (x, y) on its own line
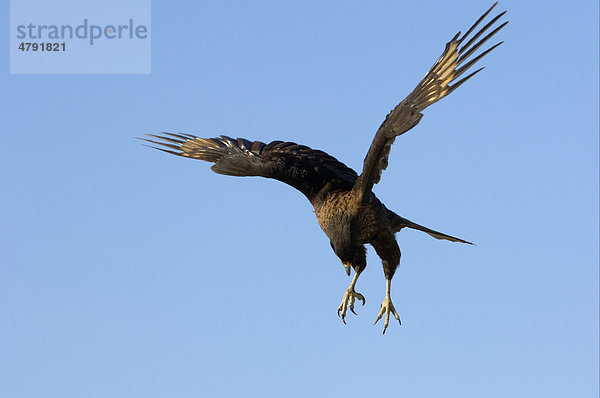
(306, 169)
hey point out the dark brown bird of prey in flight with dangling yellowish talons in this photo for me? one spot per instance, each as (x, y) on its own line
(347, 210)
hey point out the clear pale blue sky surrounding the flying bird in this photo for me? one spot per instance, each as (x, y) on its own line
(126, 272)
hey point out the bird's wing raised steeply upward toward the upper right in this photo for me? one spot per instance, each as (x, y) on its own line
(458, 57)
